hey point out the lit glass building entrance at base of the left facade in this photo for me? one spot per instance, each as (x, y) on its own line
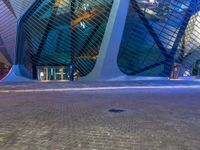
(48, 73)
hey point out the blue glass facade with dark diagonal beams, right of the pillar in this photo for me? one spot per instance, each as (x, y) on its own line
(155, 36)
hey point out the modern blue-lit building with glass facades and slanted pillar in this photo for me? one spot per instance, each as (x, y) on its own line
(100, 39)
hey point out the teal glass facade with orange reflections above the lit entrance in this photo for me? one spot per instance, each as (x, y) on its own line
(63, 32)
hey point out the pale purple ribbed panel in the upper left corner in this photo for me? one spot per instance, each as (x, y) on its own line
(10, 12)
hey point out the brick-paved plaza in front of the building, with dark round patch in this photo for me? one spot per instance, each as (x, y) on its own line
(153, 118)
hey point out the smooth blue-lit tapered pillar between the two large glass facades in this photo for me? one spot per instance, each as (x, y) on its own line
(106, 67)
